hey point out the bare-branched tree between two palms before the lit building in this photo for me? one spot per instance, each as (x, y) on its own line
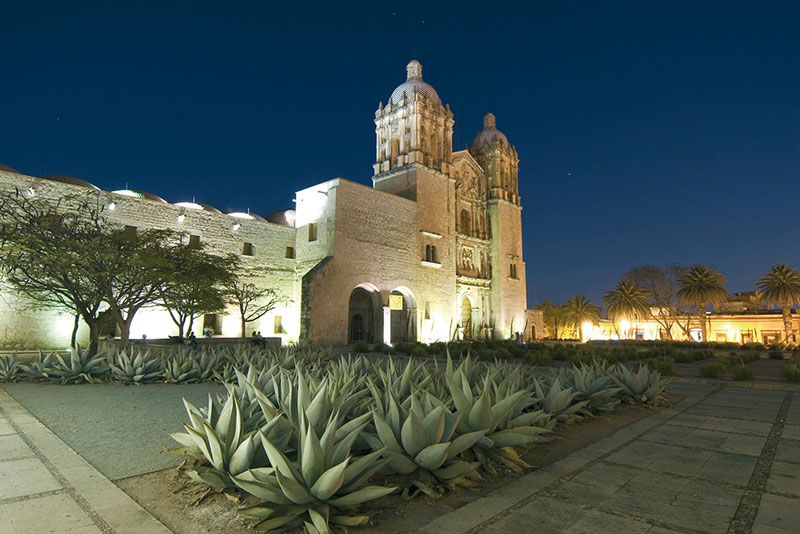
(662, 286)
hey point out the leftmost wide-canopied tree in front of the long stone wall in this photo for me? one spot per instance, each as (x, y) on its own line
(44, 246)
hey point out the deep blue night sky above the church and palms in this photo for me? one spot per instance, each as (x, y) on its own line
(648, 132)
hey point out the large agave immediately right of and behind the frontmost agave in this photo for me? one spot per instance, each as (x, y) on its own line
(421, 443)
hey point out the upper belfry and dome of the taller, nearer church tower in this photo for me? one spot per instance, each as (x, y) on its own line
(413, 127)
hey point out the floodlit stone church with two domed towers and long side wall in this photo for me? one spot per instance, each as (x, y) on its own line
(432, 252)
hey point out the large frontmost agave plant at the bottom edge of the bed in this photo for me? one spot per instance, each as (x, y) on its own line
(317, 486)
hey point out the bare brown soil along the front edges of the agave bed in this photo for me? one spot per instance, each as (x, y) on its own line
(173, 499)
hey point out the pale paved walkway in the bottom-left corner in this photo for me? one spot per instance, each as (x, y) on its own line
(46, 487)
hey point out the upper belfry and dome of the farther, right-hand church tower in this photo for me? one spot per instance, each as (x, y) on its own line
(499, 160)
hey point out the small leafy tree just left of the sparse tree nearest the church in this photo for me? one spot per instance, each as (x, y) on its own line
(196, 285)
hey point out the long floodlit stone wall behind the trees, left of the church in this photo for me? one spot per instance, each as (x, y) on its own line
(22, 327)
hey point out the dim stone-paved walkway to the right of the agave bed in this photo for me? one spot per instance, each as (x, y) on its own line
(721, 460)
